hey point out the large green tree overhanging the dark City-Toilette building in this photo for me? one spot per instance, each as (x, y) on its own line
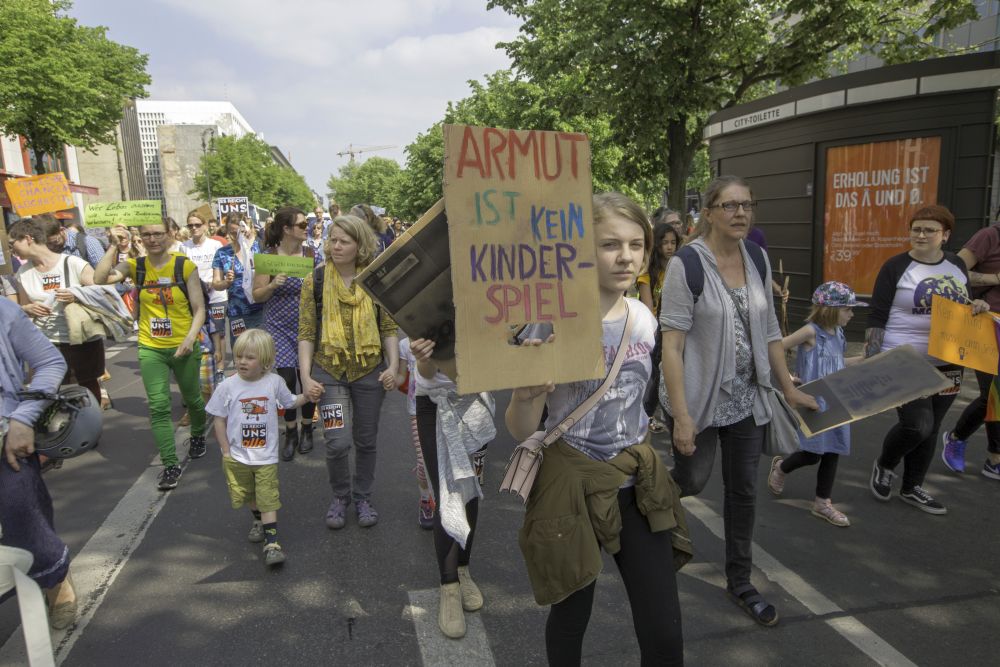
(658, 68)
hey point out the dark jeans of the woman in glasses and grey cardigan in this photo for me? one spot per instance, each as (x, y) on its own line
(741, 444)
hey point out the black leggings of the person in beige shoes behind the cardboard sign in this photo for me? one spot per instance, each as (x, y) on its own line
(450, 555)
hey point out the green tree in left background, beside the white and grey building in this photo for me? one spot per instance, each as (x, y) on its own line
(244, 168)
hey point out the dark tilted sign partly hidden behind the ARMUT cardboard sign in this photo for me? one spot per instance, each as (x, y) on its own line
(411, 279)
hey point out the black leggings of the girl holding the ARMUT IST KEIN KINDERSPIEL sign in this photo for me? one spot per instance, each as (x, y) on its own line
(646, 566)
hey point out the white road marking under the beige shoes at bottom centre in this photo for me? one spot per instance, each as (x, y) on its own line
(436, 650)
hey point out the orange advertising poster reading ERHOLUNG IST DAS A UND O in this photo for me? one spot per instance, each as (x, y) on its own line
(871, 192)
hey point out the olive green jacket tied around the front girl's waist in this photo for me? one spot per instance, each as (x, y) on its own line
(572, 513)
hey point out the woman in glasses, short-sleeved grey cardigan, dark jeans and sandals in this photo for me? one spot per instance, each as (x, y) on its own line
(721, 349)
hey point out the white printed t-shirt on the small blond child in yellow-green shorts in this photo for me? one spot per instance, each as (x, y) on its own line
(251, 412)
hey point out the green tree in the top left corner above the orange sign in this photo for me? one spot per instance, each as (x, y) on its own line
(62, 83)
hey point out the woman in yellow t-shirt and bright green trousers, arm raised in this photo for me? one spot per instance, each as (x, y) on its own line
(170, 319)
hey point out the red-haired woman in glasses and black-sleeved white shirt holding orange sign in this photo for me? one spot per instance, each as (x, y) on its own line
(901, 315)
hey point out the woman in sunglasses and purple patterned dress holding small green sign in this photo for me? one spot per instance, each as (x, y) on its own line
(286, 237)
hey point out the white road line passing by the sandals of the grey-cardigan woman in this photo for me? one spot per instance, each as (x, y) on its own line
(848, 627)
